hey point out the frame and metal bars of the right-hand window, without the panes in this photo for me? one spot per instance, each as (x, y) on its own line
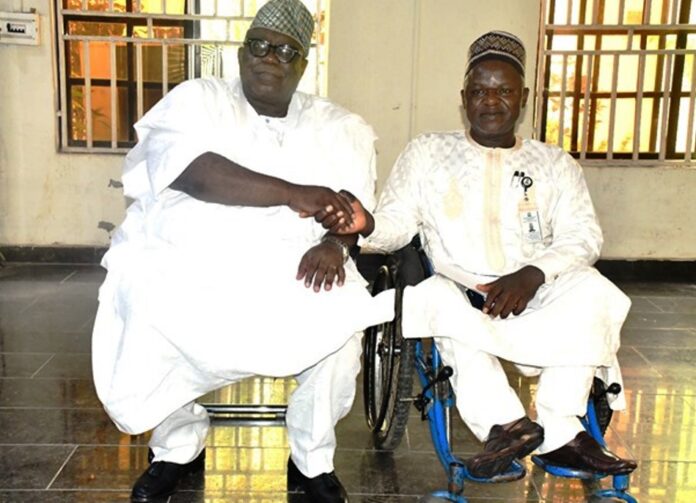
(667, 93)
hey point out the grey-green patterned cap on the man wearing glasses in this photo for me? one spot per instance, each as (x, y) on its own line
(288, 17)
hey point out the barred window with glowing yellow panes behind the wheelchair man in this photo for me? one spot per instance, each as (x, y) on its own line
(616, 79)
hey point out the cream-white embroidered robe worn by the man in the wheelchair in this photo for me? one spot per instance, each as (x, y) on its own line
(468, 205)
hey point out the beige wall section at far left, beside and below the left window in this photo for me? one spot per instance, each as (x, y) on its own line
(46, 198)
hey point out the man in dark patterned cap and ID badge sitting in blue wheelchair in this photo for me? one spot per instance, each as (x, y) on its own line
(513, 220)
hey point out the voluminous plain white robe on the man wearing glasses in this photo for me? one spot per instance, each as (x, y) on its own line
(198, 294)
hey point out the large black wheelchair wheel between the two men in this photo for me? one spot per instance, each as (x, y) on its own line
(389, 362)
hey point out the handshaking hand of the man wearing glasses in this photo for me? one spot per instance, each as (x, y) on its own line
(321, 203)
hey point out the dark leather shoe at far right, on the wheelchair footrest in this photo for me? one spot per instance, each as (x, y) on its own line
(585, 454)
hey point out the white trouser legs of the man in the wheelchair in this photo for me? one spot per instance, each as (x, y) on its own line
(485, 398)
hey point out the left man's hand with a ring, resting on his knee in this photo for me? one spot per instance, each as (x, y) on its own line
(322, 263)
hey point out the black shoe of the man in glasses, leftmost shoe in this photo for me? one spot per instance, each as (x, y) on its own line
(162, 477)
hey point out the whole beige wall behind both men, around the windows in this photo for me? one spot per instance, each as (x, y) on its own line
(399, 63)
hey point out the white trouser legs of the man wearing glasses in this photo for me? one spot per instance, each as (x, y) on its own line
(324, 395)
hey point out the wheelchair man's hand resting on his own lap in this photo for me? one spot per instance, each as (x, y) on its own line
(511, 293)
